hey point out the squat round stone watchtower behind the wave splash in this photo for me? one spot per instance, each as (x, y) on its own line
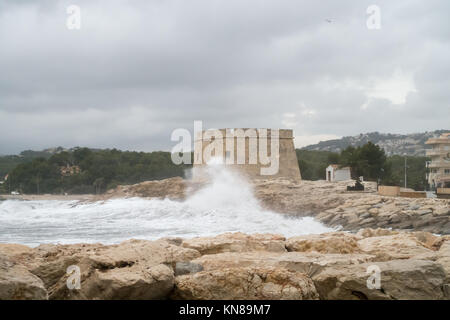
(255, 153)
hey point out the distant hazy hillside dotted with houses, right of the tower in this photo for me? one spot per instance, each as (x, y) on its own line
(393, 144)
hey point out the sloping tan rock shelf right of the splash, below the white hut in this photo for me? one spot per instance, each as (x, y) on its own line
(331, 204)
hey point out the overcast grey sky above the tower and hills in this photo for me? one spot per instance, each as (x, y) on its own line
(137, 70)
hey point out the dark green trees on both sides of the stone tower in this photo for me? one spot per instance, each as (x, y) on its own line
(95, 171)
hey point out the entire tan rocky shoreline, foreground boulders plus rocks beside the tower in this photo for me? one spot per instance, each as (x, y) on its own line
(396, 236)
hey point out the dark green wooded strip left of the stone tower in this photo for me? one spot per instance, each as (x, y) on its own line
(99, 170)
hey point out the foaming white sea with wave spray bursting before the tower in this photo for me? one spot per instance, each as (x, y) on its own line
(227, 205)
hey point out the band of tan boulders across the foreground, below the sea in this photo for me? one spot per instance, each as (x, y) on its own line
(412, 265)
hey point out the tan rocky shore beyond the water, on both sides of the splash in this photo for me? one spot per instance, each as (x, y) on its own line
(328, 202)
